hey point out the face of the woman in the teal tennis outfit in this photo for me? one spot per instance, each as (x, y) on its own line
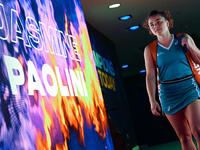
(158, 25)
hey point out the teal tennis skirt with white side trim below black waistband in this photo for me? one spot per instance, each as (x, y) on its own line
(176, 96)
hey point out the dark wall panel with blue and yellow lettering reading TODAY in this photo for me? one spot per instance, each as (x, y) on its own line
(115, 96)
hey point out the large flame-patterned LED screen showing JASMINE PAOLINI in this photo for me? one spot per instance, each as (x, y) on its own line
(50, 92)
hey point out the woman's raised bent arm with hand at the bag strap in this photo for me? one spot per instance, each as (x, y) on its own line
(195, 52)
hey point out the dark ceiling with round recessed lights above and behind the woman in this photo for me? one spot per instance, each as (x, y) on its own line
(130, 44)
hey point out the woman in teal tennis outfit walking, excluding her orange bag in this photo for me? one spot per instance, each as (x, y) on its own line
(180, 98)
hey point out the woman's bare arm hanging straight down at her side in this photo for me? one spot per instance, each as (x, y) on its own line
(151, 81)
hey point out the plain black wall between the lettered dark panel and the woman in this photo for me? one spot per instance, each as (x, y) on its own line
(149, 129)
